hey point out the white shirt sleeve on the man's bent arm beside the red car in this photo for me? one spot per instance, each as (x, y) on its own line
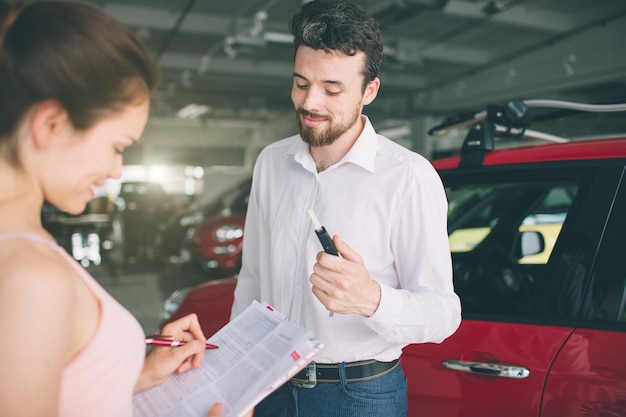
(424, 306)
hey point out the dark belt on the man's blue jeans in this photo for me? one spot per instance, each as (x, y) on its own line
(328, 373)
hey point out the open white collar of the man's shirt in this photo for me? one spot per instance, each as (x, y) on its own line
(362, 153)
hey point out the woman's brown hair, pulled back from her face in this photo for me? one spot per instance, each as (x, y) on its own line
(70, 52)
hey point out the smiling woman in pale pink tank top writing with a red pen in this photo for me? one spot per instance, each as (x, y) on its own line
(75, 89)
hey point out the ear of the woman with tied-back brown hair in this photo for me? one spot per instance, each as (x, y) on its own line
(50, 119)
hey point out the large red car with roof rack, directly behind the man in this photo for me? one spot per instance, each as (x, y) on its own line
(538, 240)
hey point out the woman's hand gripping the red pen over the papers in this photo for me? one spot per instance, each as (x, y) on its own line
(163, 361)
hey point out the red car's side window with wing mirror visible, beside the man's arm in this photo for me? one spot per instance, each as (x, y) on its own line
(502, 235)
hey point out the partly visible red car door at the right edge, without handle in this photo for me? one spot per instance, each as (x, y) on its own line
(588, 377)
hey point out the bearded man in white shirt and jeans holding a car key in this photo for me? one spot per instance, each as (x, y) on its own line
(391, 284)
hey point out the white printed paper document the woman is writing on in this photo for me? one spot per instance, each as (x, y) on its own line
(259, 350)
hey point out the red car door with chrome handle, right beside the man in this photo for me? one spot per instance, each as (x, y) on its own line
(512, 330)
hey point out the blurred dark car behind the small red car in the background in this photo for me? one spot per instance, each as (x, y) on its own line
(175, 230)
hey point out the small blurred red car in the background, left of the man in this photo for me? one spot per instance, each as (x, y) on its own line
(215, 245)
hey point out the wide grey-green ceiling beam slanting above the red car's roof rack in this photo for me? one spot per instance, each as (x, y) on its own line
(590, 56)
